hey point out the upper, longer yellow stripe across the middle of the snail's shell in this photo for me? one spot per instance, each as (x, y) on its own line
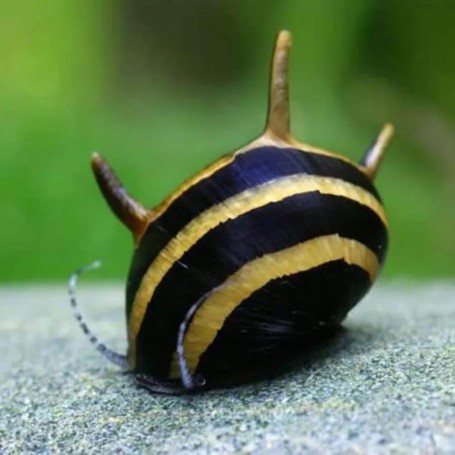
(231, 208)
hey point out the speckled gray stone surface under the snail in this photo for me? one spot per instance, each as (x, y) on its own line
(386, 385)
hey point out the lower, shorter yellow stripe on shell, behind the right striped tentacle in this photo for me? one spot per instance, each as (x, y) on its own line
(254, 275)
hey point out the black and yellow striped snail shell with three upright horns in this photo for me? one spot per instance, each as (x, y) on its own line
(252, 258)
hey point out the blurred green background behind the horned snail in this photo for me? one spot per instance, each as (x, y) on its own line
(163, 87)
